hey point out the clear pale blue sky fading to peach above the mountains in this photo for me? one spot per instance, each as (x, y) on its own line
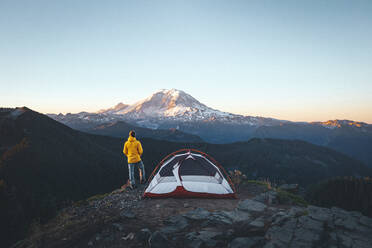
(294, 60)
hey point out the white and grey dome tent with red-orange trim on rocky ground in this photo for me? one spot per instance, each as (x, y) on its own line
(189, 173)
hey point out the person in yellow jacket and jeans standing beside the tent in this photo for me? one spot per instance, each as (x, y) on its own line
(133, 150)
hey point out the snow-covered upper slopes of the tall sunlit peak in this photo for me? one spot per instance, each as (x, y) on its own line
(172, 105)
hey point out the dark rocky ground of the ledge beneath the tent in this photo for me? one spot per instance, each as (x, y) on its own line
(258, 218)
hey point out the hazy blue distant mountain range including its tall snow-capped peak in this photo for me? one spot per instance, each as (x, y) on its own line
(175, 109)
